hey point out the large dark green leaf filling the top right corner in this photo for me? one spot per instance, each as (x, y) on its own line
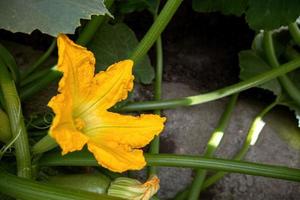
(271, 14)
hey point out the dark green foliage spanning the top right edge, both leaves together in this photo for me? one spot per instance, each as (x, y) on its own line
(260, 14)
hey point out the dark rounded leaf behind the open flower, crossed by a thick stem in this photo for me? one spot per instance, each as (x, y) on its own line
(113, 43)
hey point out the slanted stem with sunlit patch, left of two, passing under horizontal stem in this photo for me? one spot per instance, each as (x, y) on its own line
(212, 146)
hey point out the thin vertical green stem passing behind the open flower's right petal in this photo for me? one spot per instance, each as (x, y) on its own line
(154, 146)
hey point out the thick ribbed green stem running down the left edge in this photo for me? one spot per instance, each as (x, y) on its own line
(18, 130)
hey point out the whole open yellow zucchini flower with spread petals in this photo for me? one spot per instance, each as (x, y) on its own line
(81, 115)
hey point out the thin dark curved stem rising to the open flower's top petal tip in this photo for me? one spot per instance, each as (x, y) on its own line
(40, 61)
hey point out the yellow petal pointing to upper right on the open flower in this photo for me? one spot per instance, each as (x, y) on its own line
(108, 88)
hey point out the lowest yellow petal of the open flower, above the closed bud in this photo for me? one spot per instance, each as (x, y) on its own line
(116, 157)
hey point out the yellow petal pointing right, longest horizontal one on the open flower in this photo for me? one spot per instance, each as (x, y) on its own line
(123, 129)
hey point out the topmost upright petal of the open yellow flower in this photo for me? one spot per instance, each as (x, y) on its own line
(77, 65)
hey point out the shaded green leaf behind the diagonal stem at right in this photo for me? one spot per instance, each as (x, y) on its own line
(251, 65)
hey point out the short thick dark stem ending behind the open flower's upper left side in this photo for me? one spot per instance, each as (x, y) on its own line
(39, 84)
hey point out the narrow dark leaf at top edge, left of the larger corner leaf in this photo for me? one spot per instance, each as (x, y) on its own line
(227, 7)
